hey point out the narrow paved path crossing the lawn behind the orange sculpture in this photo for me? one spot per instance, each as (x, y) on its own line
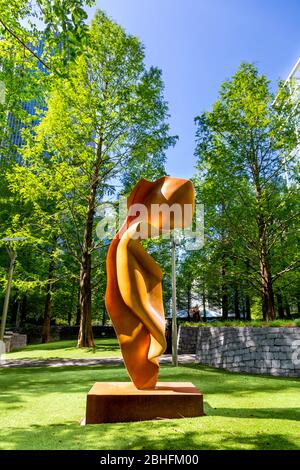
(100, 361)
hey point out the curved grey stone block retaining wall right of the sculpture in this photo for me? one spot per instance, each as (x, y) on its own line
(266, 350)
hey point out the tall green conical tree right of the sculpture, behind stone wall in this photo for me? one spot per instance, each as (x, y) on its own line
(243, 145)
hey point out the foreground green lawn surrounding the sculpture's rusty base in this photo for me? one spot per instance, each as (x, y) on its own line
(40, 408)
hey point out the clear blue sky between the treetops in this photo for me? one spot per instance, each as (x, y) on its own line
(200, 43)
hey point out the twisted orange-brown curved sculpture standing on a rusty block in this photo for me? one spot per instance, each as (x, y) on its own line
(134, 291)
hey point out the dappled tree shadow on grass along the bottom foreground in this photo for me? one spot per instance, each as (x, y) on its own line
(151, 435)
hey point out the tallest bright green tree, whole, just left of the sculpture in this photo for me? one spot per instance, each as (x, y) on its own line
(101, 119)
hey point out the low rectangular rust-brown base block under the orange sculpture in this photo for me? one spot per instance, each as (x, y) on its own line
(112, 402)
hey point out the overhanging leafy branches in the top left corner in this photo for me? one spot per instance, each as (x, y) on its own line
(60, 24)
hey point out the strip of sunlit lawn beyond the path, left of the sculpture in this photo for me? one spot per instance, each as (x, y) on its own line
(105, 347)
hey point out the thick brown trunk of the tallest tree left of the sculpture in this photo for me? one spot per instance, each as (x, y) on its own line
(85, 337)
